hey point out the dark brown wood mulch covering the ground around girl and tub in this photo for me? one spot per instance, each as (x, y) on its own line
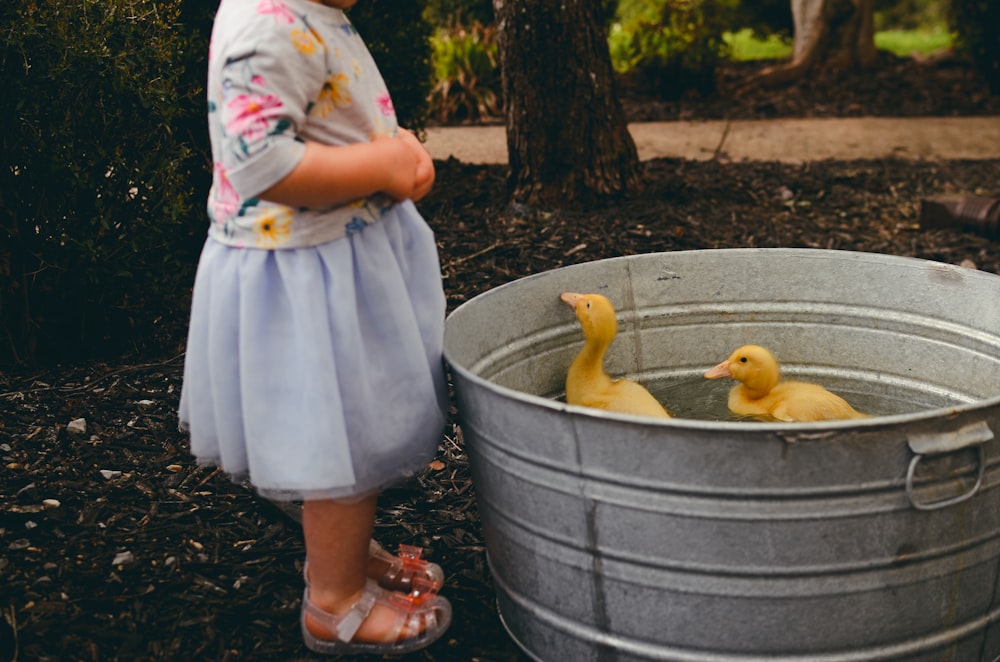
(114, 545)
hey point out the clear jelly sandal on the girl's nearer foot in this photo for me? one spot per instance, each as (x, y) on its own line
(422, 616)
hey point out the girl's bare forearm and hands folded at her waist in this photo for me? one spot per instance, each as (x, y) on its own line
(330, 175)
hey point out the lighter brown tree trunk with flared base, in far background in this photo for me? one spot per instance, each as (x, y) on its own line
(830, 35)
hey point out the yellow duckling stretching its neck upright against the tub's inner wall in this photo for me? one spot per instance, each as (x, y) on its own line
(587, 383)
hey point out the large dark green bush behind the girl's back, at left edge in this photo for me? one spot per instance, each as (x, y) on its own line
(103, 185)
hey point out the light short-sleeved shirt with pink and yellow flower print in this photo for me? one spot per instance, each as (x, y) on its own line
(282, 72)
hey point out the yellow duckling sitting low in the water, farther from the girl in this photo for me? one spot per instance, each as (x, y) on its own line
(762, 394)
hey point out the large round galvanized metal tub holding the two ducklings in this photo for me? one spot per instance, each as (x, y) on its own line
(612, 537)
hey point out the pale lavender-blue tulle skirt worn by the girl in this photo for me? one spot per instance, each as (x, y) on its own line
(317, 372)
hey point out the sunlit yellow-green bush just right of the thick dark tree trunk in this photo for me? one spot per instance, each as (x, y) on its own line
(671, 47)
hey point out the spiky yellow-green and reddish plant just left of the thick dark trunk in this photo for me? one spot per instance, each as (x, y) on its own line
(467, 74)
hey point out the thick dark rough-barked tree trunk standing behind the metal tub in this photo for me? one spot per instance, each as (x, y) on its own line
(567, 140)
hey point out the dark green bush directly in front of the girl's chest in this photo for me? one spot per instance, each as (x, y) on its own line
(399, 39)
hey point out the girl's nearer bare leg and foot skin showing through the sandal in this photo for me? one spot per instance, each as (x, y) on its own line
(337, 536)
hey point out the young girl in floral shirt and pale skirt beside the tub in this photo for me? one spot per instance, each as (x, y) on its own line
(314, 360)
